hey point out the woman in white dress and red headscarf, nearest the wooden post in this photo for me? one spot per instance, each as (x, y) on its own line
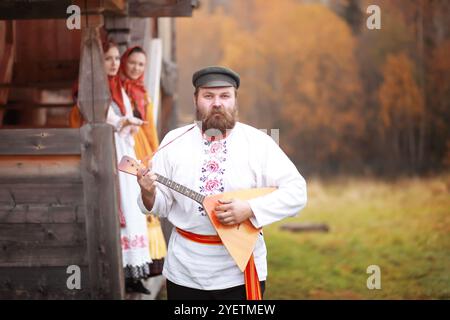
(133, 232)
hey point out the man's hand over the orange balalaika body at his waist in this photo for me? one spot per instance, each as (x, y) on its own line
(233, 211)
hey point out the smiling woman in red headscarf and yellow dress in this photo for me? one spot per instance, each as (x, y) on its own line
(132, 67)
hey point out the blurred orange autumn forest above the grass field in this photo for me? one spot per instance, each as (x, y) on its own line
(347, 100)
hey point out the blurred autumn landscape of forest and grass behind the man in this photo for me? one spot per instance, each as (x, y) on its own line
(365, 116)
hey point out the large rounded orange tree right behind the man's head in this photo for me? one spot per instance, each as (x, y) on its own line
(299, 75)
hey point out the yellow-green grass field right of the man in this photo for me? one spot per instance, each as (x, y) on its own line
(403, 227)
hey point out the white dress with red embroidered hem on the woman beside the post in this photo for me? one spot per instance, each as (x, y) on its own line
(134, 237)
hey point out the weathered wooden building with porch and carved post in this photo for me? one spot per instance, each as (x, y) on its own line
(58, 198)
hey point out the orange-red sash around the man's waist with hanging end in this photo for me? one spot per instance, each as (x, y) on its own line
(252, 287)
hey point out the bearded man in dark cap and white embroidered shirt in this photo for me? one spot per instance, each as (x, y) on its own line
(215, 155)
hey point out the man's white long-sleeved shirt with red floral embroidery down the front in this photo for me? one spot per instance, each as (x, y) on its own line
(246, 158)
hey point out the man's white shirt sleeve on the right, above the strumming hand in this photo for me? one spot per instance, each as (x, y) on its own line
(290, 197)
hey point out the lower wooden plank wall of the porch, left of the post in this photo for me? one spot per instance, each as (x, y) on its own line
(42, 216)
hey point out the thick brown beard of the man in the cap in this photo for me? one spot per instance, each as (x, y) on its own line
(217, 120)
